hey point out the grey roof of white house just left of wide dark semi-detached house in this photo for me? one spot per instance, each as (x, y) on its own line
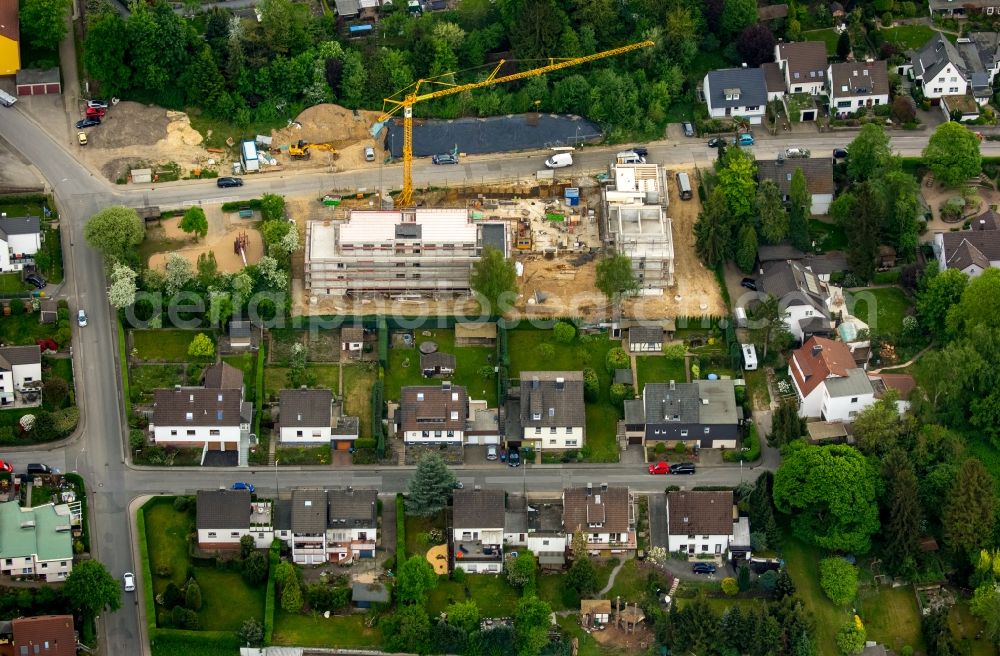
(547, 402)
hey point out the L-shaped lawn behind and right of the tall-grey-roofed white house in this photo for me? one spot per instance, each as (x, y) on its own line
(587, 351)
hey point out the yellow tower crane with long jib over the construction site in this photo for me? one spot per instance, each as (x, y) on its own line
(412, 96)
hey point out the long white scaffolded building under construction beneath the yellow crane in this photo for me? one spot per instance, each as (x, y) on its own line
(422, 252)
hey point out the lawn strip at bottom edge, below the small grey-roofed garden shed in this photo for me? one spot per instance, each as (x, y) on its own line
(317, 631)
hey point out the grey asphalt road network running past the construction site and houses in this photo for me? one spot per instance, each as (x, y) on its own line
(97, 450)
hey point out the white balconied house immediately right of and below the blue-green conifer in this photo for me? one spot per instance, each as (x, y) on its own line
(478, 530)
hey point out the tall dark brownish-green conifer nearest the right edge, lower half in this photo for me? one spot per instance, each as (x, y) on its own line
(970, 509)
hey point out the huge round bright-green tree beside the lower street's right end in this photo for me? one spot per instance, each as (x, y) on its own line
(830, 493)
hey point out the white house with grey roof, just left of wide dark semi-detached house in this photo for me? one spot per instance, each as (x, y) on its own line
(553, 416)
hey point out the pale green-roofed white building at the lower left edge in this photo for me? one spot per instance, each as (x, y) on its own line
(36, 541)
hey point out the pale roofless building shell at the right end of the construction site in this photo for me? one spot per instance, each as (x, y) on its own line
(635, 206)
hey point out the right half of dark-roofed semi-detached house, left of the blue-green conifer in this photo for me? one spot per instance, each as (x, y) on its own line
(352, 528)
